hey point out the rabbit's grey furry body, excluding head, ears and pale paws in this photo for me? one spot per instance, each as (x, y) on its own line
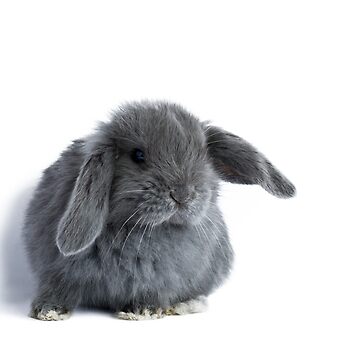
(146, 270)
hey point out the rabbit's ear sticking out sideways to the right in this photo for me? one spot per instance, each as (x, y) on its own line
(239, 162)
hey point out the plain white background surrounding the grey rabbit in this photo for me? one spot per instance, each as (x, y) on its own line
(282, 74)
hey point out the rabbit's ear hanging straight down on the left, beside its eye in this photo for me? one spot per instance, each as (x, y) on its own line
(87, 210)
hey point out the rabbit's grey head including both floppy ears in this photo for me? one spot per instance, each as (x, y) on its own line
(156, 163)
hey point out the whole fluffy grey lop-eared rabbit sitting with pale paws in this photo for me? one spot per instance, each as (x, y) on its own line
(127, 218)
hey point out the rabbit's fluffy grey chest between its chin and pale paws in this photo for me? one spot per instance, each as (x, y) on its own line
(155, 268)
